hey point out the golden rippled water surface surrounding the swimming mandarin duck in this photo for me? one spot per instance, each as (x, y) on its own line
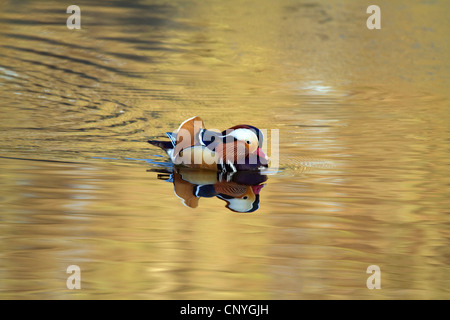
(364, 155)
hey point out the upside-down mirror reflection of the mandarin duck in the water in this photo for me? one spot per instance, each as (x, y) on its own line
(240, 190)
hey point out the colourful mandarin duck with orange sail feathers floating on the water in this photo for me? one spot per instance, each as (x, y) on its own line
(238, 148)
